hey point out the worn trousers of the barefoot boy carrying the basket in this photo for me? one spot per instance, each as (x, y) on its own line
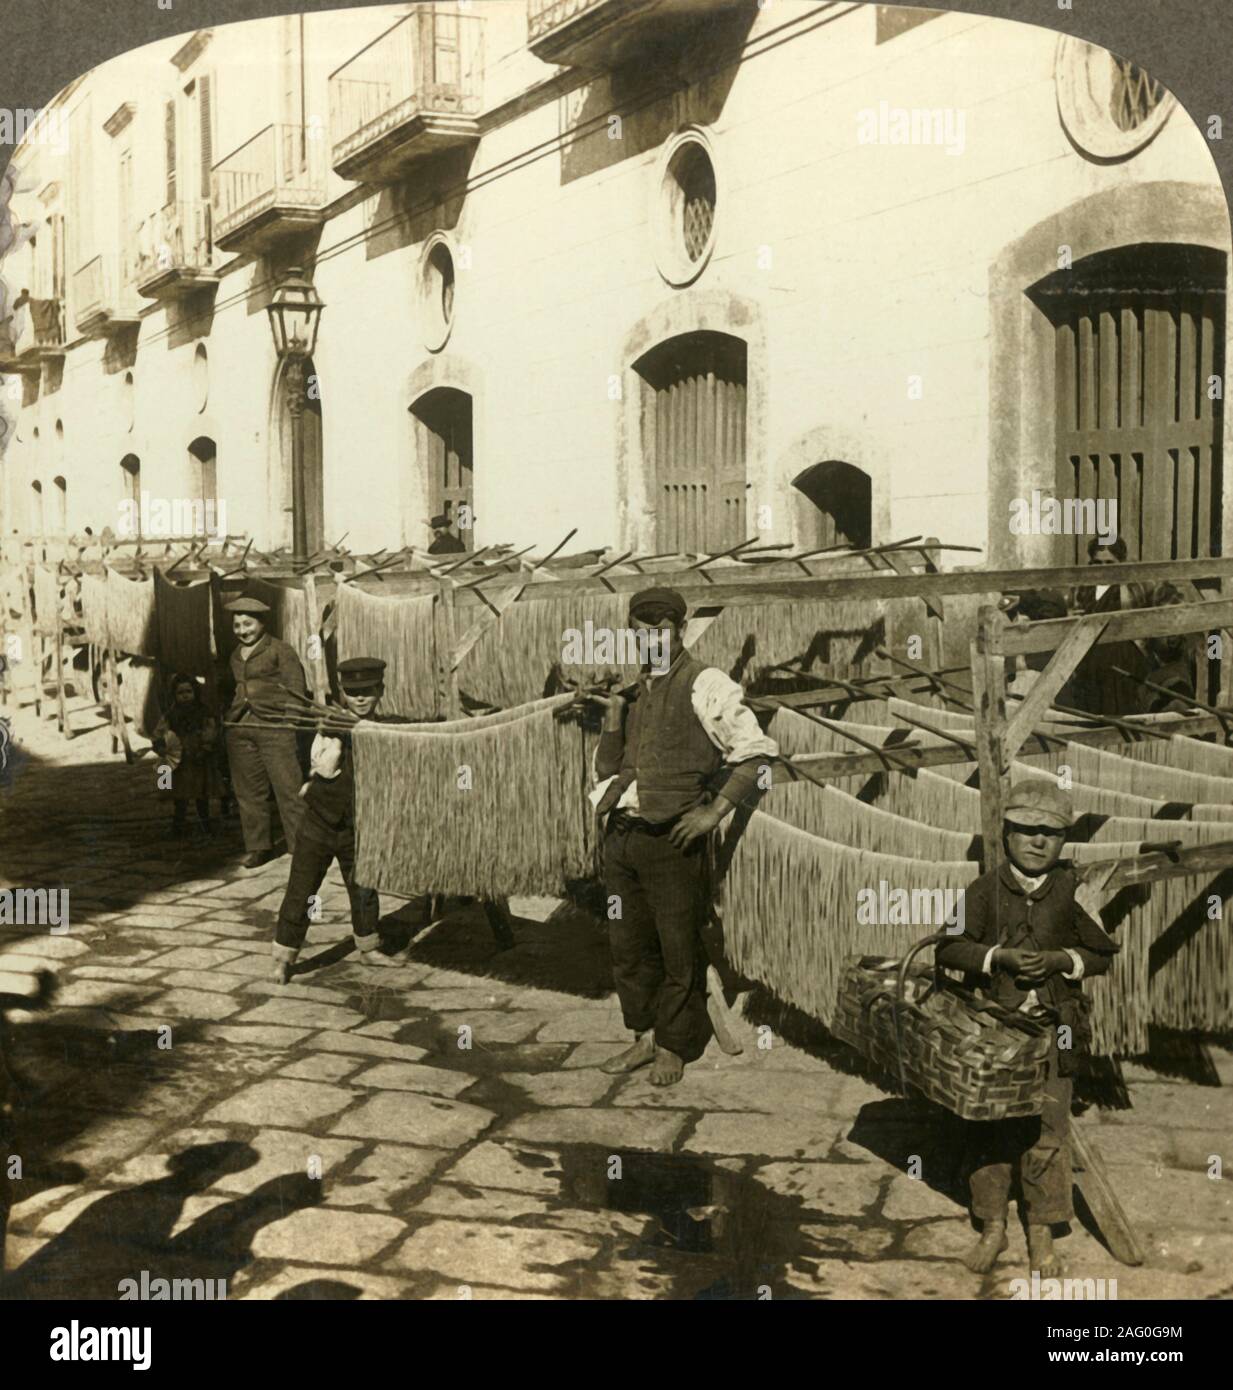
(1040, 1150)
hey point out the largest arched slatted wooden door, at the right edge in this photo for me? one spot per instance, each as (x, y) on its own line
(1139, 341)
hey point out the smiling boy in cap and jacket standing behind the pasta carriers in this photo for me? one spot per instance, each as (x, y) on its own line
(262, 667)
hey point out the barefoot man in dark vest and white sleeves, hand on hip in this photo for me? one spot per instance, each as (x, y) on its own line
(664, 790)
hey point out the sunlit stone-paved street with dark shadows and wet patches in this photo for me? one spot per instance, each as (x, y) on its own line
(508, 1168)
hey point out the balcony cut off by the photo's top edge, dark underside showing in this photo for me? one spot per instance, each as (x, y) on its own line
(608, 34)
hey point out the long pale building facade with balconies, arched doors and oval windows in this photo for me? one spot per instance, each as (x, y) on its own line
(672, 275)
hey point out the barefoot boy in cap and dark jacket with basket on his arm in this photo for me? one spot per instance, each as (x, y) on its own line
(1031, 938)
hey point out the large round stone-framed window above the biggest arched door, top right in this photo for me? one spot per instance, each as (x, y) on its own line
(1110, 106)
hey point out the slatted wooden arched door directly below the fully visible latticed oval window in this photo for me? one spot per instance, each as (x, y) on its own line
(694, 440)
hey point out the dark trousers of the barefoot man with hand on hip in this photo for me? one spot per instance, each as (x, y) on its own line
(658, 960)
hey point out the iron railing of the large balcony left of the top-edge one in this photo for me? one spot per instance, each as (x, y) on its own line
(430, 63)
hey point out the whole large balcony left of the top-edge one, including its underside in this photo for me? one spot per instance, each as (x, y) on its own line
(411, 94)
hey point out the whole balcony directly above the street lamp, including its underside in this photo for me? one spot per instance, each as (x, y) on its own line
(270, 188)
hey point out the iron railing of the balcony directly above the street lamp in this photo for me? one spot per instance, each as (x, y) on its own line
(280, 167)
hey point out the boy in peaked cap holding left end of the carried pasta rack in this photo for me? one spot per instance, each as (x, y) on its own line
(329, 829)
